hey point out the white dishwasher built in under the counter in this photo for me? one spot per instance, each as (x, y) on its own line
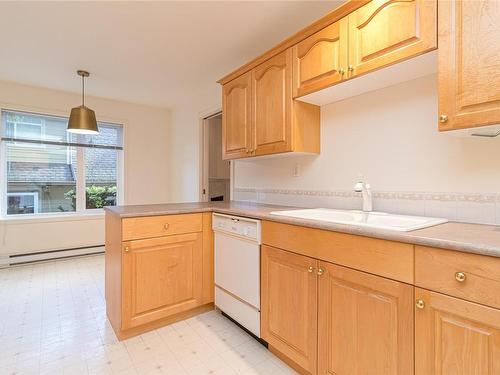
(237, 269)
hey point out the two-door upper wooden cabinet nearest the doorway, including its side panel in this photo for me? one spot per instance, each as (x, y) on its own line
(268, 121)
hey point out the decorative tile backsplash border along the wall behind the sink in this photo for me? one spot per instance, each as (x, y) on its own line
(483, 208)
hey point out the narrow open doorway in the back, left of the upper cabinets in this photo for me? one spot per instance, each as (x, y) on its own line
(216, 181)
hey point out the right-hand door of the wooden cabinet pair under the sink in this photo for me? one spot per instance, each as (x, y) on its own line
(365, 323)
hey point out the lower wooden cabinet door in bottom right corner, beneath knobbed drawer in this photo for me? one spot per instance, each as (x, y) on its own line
(453, 336)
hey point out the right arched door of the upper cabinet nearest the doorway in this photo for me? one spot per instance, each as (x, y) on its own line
(272, 101)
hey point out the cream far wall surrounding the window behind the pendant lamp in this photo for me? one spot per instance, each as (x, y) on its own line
(146, 162)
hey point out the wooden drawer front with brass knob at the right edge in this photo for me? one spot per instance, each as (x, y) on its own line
(469, 276)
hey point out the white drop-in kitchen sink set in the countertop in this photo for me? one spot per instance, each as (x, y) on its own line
(379, 220)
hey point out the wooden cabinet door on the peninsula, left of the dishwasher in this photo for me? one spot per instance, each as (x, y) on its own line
(162, 276)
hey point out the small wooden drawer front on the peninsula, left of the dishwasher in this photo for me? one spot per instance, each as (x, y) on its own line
(156, 226)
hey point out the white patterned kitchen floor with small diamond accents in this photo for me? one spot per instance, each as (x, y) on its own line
(53, 321)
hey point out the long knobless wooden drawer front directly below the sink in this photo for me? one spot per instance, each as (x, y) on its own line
(390, 259)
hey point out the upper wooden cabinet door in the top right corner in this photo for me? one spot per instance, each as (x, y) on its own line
(469, 64)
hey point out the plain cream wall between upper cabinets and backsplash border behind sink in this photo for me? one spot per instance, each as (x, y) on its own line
(390, 137)
